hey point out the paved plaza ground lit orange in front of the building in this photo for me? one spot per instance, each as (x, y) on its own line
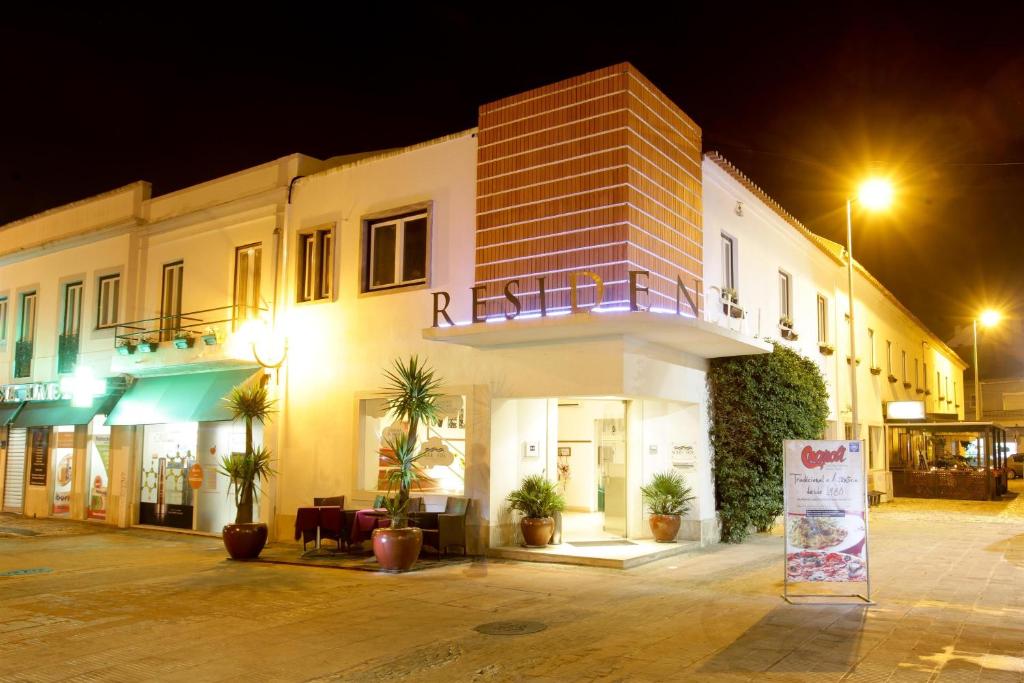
(144, 606)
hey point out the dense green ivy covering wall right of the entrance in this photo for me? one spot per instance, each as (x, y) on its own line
(756, 403)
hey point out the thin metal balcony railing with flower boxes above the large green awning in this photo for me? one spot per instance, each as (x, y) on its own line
(181, 329)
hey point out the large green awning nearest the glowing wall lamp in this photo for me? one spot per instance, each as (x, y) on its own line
(193, 398)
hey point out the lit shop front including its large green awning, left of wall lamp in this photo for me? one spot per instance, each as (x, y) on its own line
(179, 426)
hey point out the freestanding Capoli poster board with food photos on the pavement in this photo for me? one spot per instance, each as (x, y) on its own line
(826, 520)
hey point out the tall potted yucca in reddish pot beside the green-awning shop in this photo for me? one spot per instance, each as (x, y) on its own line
(246, 472)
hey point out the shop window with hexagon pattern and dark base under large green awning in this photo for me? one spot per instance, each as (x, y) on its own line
(166, 498)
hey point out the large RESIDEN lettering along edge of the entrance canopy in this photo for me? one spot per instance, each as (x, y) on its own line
(515, 307)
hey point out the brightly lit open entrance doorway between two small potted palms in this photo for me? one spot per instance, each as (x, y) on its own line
(591, 468)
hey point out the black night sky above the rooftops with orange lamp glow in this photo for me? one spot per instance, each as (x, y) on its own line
(803, 100)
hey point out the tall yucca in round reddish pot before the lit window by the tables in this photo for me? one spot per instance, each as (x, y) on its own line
(411, 395)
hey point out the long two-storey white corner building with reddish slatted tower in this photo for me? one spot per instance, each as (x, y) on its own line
(594, 190)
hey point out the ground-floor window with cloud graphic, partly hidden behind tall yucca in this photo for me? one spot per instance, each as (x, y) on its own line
(443, 442)
